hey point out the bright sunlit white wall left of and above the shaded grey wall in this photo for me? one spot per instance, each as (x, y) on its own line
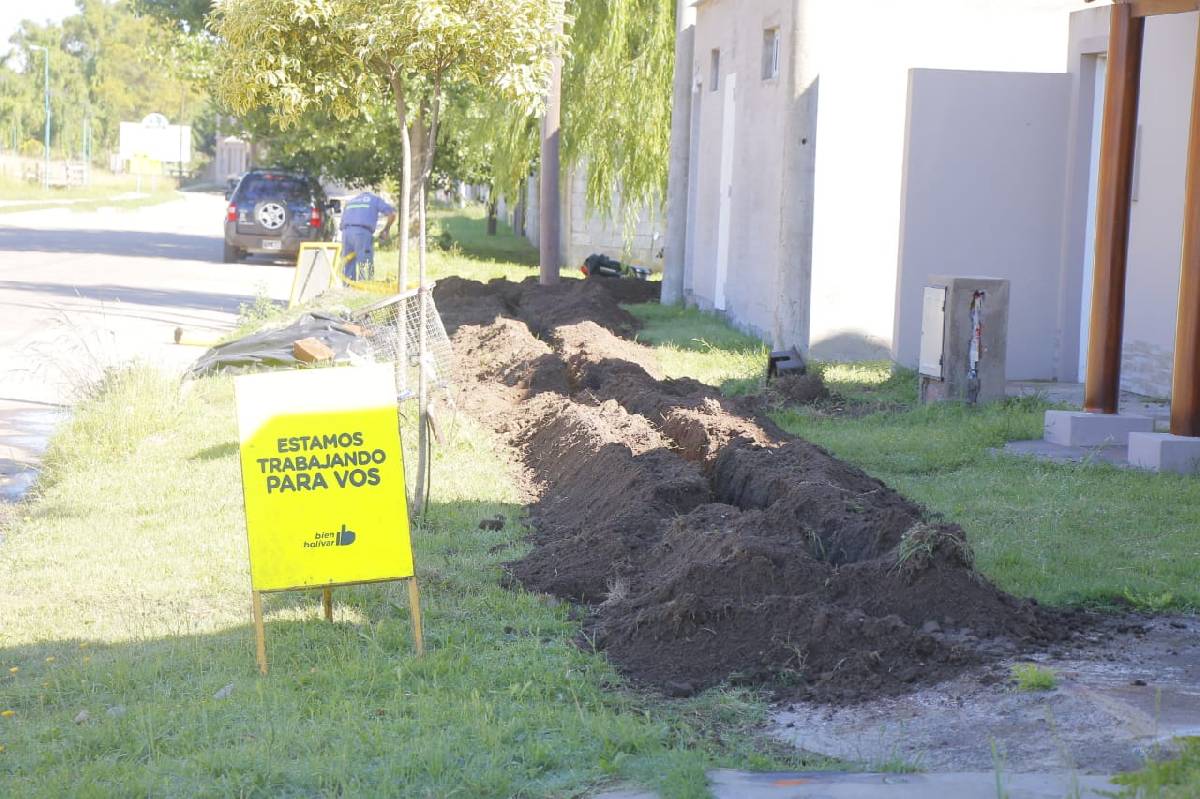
(868, 51)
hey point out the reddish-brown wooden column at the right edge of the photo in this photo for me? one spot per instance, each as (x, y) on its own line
(1186, 381)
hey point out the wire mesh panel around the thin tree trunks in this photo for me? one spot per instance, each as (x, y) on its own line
(393, 329)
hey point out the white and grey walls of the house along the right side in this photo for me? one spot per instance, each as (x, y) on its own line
(874, 235)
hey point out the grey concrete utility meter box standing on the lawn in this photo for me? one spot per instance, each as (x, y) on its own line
(964, 338)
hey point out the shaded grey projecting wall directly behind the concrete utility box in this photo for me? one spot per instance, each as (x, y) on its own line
(985, 178)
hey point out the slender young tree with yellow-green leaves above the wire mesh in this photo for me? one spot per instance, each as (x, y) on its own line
(298, 56)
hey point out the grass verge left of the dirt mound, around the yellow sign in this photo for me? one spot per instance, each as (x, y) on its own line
(127, 657)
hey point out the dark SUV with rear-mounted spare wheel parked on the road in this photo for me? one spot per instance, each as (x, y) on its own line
(273, 212)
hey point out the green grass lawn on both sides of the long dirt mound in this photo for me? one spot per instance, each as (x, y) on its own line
(127, 597)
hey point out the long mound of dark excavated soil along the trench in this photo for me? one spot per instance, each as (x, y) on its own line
(711, 545)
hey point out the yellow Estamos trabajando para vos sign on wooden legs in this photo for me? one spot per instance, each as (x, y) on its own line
(323, 479)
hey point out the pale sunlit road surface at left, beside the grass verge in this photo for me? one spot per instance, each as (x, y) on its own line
(81, 292)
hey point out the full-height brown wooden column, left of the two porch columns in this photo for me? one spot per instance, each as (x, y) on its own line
(1102, 388)
